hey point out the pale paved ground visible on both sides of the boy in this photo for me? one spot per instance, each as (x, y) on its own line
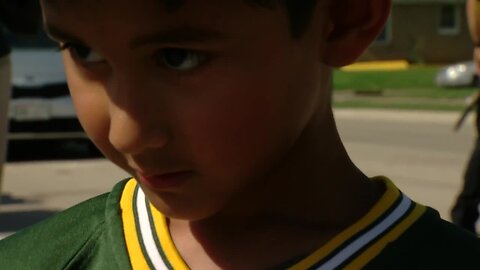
(417, 150)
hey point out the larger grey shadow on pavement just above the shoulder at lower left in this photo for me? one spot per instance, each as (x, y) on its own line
(14, 221)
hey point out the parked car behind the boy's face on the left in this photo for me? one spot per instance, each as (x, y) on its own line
(40, 106)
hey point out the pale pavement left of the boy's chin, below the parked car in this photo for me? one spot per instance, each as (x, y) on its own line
(33, 191)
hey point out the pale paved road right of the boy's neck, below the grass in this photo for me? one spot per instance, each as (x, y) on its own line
(417, 150)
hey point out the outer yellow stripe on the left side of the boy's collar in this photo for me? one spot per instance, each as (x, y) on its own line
(135, 253)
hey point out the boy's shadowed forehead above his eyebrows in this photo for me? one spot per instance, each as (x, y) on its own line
(151, 13)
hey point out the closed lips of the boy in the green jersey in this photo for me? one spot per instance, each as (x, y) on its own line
(164, 181)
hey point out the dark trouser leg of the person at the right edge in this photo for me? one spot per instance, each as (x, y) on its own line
(465, 211)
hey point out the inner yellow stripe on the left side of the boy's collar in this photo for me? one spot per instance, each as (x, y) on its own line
(168, 247)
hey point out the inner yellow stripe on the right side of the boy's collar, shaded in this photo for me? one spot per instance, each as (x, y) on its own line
(389, 197)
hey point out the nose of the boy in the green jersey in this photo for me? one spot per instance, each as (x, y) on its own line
(136, 119)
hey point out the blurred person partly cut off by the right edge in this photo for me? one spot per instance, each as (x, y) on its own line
(465, 211)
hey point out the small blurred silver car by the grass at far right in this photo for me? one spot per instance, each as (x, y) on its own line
(457, 75)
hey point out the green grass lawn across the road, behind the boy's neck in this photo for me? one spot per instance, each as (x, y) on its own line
(413, 88)
